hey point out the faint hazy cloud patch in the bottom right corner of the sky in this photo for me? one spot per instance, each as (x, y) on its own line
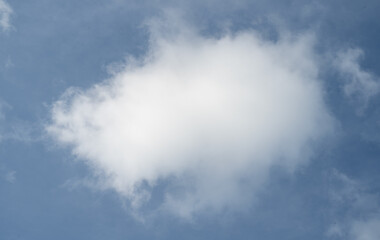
(356, 211)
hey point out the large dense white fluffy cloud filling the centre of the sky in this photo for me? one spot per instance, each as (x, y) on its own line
(201, 119)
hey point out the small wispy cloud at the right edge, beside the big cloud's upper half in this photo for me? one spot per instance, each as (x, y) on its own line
(359, 84)
